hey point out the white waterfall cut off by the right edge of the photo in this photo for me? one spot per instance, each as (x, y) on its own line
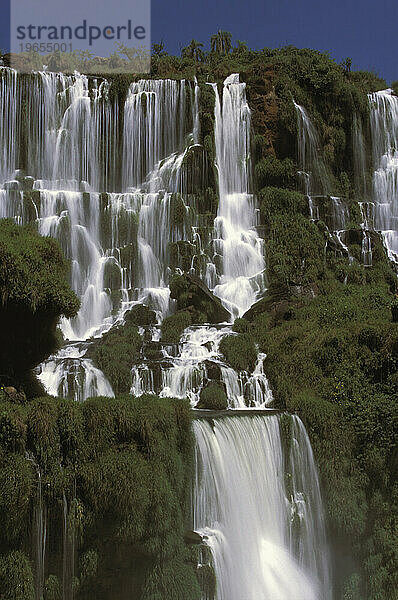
(384, 129)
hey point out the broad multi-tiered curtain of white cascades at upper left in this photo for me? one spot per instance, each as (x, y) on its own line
(69, 148)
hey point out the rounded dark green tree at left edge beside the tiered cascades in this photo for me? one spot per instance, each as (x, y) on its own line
(34, 294)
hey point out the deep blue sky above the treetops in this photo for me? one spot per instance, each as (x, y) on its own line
(364, 30)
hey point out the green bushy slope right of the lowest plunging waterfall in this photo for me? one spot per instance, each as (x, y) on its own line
(334, 361)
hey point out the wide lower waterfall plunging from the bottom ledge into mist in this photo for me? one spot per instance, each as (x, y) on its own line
(257, 505)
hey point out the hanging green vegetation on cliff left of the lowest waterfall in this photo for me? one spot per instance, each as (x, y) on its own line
(124, 467)
